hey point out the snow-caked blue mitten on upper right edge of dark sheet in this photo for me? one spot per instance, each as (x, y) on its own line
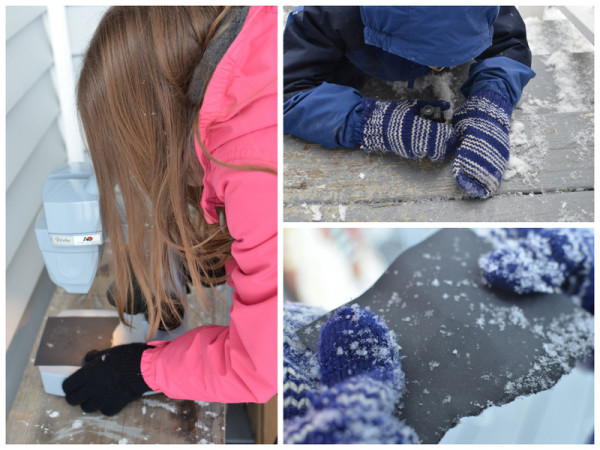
(543, 260)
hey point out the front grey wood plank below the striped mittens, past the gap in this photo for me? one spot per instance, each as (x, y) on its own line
(547, 207)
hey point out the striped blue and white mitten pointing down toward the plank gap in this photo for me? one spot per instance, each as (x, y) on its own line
(482, 123)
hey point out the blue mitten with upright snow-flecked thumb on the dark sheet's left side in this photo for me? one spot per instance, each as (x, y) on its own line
(363, 382)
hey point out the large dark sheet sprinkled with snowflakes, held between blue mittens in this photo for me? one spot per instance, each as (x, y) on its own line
(467, 347)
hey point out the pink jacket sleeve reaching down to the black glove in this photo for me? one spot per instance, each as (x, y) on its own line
(235, 363)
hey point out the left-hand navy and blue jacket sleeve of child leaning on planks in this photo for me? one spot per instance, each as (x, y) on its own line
(315, 107)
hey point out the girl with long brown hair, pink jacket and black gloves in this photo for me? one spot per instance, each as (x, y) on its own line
(179, 109)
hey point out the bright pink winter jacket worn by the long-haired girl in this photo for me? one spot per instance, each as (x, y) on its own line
(238, 125)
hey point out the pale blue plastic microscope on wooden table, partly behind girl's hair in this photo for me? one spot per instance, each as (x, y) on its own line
(71, 239)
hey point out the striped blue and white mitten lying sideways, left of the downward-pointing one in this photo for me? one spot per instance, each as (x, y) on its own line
(389, 126)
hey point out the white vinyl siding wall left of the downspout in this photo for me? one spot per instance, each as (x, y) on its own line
(34, 147)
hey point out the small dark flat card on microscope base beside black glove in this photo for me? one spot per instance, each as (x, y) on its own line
(66, 340)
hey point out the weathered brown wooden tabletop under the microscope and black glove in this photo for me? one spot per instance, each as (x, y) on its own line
(37, 417)
